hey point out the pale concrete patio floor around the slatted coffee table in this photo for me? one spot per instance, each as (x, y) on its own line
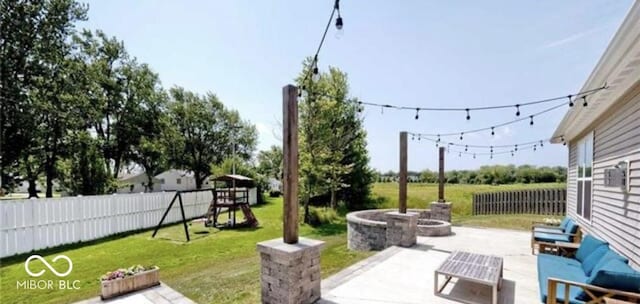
(406, 275)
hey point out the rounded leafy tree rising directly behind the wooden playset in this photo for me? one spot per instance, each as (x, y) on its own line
(207, 131)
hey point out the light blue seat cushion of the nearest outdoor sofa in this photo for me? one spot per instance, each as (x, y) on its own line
(551, 266)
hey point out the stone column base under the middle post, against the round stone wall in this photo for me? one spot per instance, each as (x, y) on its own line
(401, 228)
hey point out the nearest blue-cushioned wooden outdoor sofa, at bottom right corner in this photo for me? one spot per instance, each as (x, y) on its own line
(595, 273)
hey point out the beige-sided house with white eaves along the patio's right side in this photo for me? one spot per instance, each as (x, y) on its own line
(603, 135)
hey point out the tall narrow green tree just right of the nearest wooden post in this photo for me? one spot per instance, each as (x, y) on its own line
(333, 153)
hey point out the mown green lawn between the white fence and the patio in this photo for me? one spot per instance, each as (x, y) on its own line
(215, 267)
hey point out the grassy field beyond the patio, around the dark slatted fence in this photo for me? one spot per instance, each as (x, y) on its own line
(421, 195)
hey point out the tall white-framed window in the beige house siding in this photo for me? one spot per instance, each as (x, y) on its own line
(585, 176)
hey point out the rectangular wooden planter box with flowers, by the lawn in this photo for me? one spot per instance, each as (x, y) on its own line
(114, 288)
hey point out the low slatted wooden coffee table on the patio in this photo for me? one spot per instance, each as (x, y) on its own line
(473, 267)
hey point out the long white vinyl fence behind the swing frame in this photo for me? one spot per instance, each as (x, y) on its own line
(33, 224)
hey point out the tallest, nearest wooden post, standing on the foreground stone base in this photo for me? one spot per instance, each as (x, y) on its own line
(290, 150)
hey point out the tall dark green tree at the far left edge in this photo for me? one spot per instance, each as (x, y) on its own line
(36, 85)
